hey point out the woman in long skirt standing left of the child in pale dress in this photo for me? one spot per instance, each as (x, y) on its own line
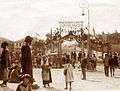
(46, 73)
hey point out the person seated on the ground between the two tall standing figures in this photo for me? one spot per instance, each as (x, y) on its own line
(15, 75)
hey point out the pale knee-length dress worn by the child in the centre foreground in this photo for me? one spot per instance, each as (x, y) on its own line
(69, 76)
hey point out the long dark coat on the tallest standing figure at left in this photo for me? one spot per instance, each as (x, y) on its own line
(26, 60)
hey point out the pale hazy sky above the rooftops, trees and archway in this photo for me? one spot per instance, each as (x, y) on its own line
(19, 18)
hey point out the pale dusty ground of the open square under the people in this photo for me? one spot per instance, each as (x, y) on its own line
(96, 81)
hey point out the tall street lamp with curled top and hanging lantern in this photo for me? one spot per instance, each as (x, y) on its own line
(84, 4)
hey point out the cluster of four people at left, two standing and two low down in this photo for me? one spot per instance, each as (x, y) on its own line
(15, 75)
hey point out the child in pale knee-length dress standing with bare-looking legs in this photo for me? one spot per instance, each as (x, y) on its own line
(68, 72)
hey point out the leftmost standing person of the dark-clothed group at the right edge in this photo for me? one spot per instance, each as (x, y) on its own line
(106, 65)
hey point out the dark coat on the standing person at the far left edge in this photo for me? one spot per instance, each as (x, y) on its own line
(5, 62)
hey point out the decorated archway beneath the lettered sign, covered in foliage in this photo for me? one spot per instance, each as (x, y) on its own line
(80, 39)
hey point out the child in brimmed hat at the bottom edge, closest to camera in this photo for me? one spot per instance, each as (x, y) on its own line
(25, 85)
